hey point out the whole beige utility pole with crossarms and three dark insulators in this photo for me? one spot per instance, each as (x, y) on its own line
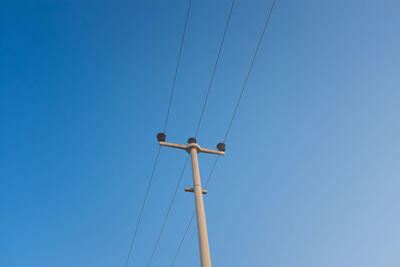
(193, 149)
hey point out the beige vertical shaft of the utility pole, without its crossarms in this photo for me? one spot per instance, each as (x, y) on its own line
(204, 248)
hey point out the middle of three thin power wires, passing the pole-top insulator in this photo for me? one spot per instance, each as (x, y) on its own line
(198, 127)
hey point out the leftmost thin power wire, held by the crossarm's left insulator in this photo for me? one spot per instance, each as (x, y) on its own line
(159, 149)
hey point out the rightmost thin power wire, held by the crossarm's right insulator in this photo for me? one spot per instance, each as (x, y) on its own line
(229, 127)
